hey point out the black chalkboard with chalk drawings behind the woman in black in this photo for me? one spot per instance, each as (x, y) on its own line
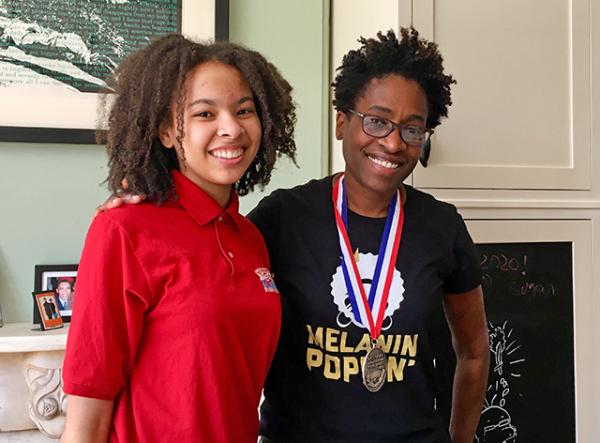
(528, 290)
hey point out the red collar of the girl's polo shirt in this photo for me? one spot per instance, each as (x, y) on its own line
(201, 206)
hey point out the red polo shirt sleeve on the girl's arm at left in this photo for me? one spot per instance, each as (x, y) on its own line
(111, 298)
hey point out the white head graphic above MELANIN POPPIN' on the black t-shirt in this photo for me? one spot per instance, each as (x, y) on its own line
(366, 265)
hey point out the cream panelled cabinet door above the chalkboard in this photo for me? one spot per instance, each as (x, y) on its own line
(521, 113)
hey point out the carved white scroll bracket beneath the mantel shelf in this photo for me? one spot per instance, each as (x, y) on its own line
(47, 403)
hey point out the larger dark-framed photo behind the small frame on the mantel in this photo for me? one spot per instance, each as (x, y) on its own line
(60, 279)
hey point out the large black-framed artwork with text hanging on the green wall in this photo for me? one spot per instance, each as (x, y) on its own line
(56, 54)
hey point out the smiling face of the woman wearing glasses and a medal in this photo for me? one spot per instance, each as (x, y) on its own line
(377, 166)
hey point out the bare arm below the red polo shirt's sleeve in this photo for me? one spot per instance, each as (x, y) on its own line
(88, 420)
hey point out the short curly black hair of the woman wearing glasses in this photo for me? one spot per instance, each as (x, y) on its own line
(411, 57)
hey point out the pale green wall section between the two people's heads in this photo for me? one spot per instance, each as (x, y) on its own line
(294, 35)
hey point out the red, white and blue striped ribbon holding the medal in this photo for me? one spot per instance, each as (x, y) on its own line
(369, 311)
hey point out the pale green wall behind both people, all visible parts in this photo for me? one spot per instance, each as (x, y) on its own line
(49, 191)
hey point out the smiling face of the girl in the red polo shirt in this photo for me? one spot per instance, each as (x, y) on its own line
(222, 131)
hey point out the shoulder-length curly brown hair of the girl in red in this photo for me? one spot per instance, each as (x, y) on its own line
(149, 82)
